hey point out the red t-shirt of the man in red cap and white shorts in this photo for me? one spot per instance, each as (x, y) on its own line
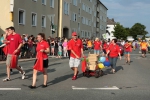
(76, 46)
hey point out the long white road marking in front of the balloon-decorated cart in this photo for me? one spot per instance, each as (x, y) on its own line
(104, 88)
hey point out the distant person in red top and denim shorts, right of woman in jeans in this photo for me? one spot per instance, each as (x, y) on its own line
(128, 49)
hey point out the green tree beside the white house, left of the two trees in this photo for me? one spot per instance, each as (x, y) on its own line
(120, 32)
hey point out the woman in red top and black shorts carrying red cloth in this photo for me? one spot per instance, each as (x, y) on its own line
(42, 47)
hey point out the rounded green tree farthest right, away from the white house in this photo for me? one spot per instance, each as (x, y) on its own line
(138, 29)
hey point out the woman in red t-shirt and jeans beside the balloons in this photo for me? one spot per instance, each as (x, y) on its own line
(113, 51)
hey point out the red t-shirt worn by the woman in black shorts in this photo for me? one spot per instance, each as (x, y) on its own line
(42, 45)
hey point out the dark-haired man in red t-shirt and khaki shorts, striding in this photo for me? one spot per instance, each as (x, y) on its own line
(15, 44)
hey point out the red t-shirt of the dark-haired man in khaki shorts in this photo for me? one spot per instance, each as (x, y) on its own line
(15, 41)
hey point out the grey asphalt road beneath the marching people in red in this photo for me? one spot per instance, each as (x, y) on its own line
(131, 82)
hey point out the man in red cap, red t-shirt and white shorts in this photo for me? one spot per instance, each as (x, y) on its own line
(76, 48)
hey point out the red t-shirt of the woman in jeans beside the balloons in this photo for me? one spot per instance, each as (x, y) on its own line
(114, 50)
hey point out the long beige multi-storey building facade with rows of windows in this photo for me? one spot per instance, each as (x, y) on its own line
(56, 18)
